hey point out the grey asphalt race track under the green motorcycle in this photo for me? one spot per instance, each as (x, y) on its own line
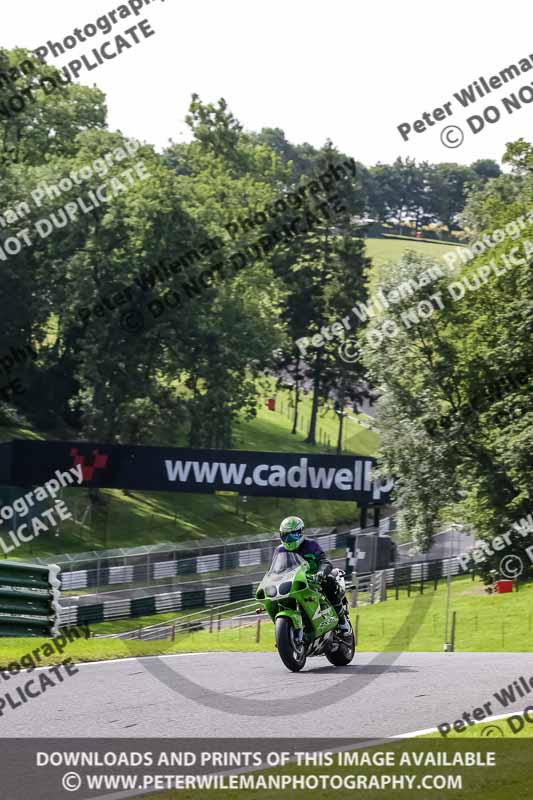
(251, 694)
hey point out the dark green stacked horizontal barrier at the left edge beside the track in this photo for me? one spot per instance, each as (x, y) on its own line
(29, 600)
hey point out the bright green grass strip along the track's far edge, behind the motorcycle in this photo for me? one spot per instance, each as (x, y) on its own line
(485, 623)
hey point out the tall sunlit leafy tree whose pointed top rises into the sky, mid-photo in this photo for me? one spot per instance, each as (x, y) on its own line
(234, 328)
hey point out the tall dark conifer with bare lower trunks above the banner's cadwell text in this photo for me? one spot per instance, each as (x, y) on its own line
(323, 273)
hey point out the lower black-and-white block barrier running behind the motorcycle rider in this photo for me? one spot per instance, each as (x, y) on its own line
(210, 596)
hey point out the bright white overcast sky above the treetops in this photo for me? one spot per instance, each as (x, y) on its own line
(343, 70)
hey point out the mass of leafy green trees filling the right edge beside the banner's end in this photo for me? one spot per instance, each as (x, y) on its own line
(468, 363)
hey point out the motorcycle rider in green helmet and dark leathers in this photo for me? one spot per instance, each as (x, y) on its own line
(292, 538)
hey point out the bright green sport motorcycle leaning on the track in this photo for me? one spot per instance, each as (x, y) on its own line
(306, 622)
